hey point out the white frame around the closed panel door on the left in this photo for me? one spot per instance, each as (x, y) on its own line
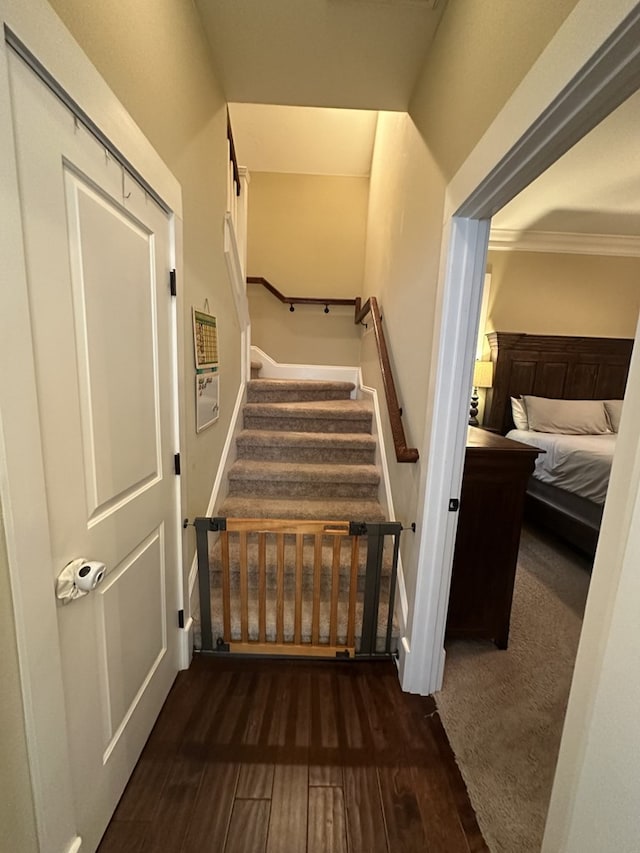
(22, 490)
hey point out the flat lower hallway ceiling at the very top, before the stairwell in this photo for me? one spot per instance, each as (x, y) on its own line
(360, 54)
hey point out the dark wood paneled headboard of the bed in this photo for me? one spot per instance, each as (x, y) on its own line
(557, 366)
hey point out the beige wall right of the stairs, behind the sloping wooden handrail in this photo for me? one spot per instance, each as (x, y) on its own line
(401, 270)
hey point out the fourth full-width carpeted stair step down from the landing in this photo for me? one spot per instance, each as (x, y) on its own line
(303, 480)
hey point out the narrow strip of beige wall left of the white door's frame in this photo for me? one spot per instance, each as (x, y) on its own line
(17, 819)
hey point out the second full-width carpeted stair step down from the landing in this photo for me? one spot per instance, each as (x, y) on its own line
(331, 416)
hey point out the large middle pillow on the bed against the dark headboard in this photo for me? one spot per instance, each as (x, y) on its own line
(571, 417)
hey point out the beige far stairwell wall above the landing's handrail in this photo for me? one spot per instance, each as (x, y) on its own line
(306, 233)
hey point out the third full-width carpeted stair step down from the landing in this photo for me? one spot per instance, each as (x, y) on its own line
(337, 448)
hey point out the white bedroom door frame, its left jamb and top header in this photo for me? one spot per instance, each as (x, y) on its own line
(589, 68)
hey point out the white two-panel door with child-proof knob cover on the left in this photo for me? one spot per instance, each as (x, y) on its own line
(97, 253)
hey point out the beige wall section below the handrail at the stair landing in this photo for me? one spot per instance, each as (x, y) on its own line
(306, 336)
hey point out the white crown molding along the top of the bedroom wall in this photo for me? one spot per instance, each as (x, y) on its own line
(505, 240)
